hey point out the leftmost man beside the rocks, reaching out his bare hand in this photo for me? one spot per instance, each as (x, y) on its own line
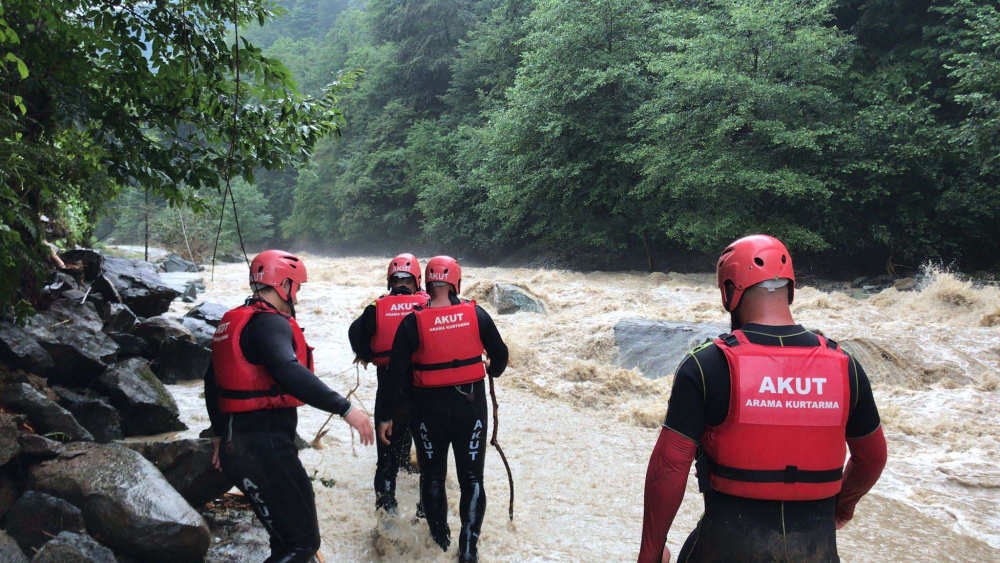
(261, 371)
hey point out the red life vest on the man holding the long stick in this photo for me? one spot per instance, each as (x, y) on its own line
(451, 352)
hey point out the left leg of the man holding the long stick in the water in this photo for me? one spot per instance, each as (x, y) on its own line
(429, 424)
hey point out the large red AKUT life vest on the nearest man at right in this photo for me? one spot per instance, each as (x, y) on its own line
(784, 437)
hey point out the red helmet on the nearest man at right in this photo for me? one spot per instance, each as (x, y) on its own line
(750, 261)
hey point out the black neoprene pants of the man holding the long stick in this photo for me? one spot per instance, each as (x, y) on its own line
(456, 417)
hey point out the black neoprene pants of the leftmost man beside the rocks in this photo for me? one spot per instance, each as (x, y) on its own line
(264, 464)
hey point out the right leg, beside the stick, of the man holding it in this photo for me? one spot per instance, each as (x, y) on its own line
(469, 439)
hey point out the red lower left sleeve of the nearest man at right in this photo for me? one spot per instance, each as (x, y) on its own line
(666, 478)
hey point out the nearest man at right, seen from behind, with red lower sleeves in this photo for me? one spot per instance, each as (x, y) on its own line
(772, 410)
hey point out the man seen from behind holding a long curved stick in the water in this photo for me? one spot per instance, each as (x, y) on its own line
(439, 350)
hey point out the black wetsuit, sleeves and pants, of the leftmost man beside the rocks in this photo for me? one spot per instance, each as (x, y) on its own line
(258, 451)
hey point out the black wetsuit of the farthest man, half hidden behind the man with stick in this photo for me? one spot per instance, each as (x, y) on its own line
(397, 453)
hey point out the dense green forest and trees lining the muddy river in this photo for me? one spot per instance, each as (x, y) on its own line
(622, 134)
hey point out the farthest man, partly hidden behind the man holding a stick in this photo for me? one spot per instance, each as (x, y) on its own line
(371, 339)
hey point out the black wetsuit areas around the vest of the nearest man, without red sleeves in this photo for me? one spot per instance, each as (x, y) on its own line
(749, 530)
